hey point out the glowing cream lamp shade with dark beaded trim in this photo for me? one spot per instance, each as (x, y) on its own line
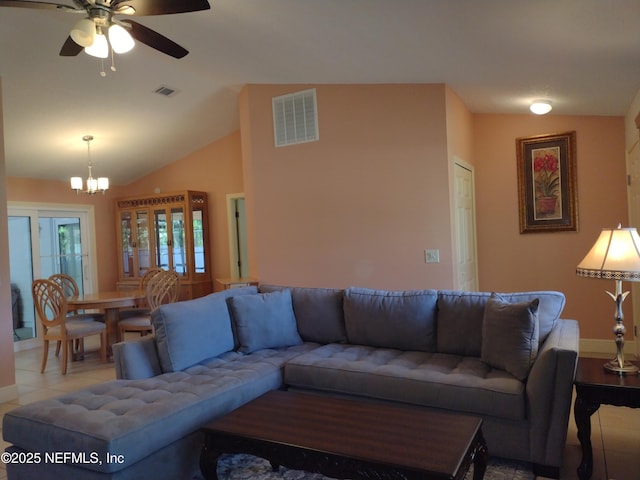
(614, 256)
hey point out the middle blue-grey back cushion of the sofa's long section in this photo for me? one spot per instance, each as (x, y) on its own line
(403, 320)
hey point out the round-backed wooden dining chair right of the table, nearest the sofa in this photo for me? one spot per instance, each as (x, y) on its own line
(163, 287)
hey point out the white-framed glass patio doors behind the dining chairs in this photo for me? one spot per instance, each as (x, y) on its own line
(43, 240)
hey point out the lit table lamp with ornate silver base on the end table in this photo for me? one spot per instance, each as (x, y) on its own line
(615, 256)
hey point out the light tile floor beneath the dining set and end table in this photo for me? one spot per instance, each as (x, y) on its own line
(615, 431)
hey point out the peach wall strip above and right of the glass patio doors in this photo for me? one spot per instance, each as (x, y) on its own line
(56, 192)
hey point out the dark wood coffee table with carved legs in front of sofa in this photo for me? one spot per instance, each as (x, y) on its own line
(344, 438)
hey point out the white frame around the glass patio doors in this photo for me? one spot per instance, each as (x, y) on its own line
(86, 213)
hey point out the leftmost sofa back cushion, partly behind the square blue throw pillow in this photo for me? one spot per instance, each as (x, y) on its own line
(318, 312)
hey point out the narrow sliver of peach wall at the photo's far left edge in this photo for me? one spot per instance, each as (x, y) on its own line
(8, 389)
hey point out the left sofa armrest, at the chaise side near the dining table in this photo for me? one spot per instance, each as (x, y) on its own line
(137, 359)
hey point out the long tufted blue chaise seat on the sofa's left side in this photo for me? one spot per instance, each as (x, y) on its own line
(135, 418)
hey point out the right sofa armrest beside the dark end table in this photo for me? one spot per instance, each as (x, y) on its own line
(549, 393)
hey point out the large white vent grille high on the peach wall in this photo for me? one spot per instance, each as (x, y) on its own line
(295, 118)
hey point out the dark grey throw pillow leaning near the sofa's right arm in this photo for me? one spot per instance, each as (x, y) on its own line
(510, 335)
